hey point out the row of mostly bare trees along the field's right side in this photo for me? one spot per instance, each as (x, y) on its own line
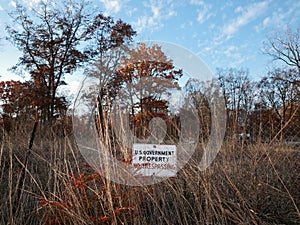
(263, 110)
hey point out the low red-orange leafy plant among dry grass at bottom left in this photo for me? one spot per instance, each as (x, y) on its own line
(90, 198)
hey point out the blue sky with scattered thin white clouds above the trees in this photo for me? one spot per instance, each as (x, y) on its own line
(222, 33)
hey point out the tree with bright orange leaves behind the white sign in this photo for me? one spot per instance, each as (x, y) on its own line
(148, 76)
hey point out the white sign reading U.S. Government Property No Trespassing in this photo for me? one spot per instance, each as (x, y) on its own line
(154, 160)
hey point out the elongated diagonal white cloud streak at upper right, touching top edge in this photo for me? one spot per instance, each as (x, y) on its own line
(248, 14)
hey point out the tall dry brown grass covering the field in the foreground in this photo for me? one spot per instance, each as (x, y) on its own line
(251, 184)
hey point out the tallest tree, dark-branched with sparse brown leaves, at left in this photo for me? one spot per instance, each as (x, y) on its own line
(56, 39)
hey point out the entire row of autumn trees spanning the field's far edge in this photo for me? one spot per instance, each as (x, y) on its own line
(57, 39)
